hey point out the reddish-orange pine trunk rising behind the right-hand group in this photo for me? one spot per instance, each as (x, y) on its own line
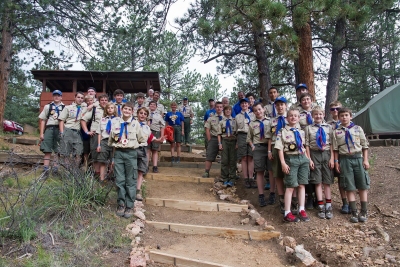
(305, 61)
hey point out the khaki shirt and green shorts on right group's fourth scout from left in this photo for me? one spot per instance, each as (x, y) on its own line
(257, 135)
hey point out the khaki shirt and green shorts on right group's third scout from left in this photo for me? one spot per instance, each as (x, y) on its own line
(242, 122)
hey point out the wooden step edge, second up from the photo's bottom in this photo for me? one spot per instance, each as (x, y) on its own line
(215, 231)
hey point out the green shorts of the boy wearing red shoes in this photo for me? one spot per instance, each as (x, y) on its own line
(299, 170)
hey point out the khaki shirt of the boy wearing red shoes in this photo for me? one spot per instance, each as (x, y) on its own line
(287, 142)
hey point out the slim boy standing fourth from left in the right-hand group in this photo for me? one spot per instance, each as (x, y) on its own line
(258, 142)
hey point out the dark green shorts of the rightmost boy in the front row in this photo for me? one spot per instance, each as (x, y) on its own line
(353, 176)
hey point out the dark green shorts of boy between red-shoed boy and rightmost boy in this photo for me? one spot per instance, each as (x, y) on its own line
(321, 173)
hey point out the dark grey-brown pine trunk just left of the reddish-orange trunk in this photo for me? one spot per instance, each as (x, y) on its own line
(264, 77)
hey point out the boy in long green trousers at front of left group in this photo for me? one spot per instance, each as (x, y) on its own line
(125, 137)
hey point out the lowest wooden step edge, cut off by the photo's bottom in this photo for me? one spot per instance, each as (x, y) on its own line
(166, 258)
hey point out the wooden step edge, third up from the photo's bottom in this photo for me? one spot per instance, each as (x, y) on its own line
(195, 205)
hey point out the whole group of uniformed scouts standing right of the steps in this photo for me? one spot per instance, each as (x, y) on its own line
(301, 152)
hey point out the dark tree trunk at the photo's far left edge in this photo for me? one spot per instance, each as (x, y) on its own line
(5, 60)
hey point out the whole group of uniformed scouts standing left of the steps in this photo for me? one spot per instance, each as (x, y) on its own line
(119, 134)
